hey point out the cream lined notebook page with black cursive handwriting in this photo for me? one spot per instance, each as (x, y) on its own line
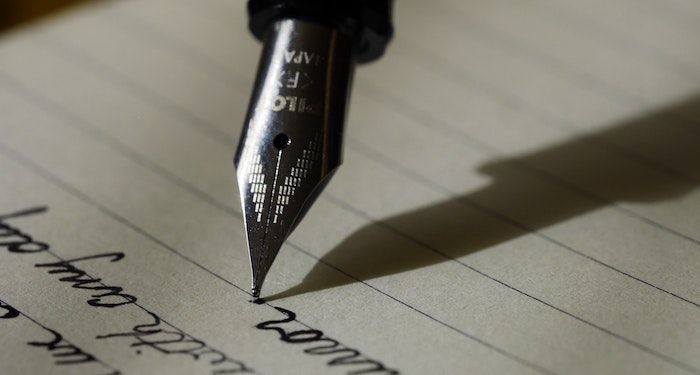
(519, 195)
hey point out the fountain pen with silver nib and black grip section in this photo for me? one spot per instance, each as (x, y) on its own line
(292, 137)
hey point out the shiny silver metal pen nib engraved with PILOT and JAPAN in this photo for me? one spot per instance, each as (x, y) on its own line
(291, 142)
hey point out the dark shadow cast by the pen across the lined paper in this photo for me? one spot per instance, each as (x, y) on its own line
(527, 197)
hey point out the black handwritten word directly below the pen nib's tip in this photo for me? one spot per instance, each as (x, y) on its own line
(340, 355)
